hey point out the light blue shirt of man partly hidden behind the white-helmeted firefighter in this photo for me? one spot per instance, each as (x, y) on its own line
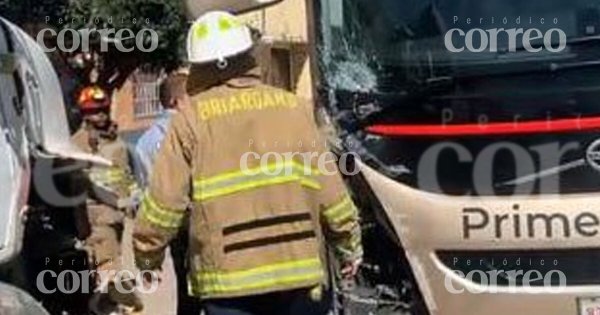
(148, 146)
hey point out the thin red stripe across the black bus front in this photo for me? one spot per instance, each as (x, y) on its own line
(502, 128)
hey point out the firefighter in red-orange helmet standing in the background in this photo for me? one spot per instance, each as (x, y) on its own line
(98, 135)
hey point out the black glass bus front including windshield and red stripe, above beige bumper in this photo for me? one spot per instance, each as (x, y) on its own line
(402, 77)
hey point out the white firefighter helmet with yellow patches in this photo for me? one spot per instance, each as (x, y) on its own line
(215, 36)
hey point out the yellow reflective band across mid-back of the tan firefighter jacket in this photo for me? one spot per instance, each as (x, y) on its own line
(272, 174)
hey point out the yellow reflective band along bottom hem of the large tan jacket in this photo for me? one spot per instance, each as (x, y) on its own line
(273, 275)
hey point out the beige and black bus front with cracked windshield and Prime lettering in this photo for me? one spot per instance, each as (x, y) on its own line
(477, 124)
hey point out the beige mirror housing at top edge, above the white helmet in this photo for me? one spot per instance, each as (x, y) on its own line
(196, 8)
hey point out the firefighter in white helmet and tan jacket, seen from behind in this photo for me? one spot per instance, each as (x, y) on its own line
(256, 225)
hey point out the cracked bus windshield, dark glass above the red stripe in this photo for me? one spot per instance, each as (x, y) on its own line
(465, 56)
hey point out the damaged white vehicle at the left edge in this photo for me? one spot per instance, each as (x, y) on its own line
(33, 124)
